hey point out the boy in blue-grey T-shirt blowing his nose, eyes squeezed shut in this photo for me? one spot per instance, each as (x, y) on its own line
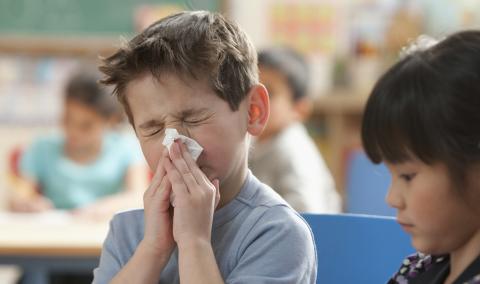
(196, 72)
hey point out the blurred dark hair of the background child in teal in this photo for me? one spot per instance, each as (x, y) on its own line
(83, 87)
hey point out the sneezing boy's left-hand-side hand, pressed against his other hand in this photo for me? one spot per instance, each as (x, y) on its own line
(158, 235)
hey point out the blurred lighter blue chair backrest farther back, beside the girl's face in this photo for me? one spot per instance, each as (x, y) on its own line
(366, 187)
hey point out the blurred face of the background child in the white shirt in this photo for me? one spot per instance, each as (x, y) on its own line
(282, 106)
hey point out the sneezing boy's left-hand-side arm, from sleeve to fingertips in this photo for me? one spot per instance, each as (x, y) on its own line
(154, 251)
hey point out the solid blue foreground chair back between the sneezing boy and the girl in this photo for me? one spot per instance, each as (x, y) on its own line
(358, 248)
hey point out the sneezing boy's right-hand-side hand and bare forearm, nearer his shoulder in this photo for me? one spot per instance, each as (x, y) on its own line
(195, 201)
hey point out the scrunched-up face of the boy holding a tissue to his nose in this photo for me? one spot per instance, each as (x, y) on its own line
(193, 109)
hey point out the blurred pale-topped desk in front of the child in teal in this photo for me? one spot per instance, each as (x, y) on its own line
(50, 242)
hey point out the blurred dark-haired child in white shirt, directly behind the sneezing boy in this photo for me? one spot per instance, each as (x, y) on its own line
(284, 156)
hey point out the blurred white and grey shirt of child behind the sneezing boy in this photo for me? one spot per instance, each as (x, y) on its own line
(291, 164)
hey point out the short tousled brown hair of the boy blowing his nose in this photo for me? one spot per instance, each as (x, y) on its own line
(197, 45)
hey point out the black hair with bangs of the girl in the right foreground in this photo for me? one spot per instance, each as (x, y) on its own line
(427, 106)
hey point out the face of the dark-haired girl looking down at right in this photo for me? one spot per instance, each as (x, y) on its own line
(439, 217)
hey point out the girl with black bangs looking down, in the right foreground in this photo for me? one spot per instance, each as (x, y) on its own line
(423, 120)
